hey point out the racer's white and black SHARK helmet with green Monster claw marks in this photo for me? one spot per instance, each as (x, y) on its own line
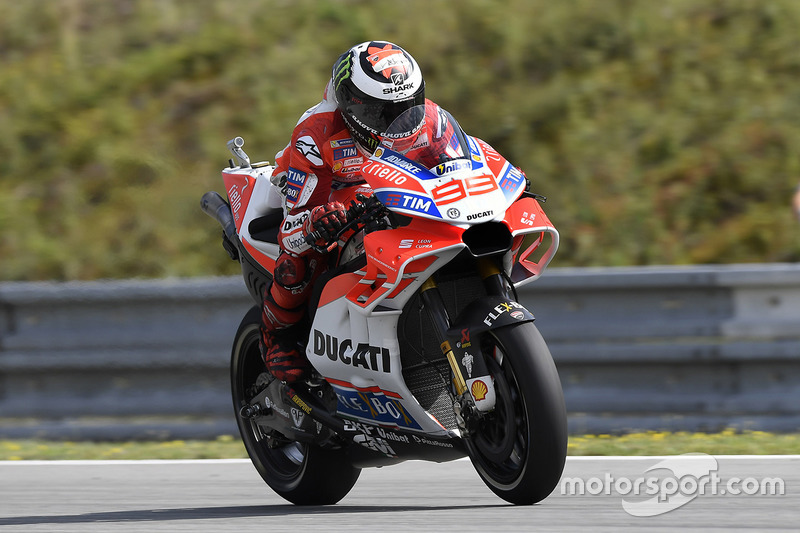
(374, 82)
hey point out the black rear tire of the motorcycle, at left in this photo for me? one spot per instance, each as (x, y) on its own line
(302, 474)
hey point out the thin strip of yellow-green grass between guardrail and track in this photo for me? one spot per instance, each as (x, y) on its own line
(727, 442)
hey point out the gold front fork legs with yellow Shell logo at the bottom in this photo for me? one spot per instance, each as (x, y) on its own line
(472, 381)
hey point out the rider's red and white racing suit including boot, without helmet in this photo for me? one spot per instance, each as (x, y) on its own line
(322, 163)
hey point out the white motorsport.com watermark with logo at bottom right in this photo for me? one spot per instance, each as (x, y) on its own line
(693, 475)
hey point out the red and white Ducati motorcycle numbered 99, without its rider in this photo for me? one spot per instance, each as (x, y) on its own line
(420, 348)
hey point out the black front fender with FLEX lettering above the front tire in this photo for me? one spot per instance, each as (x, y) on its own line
(488, 313)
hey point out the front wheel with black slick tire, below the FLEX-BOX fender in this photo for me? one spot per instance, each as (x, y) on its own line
(521, 447)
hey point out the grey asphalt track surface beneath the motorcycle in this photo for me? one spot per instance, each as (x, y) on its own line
(204, 496)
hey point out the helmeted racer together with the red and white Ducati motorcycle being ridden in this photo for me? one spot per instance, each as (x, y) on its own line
(417, 346)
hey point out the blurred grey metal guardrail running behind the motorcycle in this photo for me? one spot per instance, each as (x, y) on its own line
(678, 348)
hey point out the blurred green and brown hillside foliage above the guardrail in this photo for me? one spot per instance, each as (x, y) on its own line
(663, 132)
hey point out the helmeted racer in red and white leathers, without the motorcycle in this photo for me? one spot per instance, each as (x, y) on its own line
(371, 85)
